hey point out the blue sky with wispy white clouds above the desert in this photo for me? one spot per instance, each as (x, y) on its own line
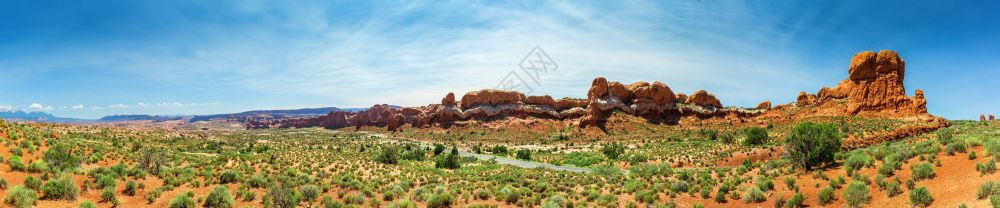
(87, 59)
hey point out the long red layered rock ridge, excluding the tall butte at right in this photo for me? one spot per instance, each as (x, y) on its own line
(653, 101)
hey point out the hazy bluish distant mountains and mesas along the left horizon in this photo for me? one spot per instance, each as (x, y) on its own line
(241, 116)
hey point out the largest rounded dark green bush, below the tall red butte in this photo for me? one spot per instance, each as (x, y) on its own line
(811, 144)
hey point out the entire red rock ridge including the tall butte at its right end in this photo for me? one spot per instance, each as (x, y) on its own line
(874, 88)
